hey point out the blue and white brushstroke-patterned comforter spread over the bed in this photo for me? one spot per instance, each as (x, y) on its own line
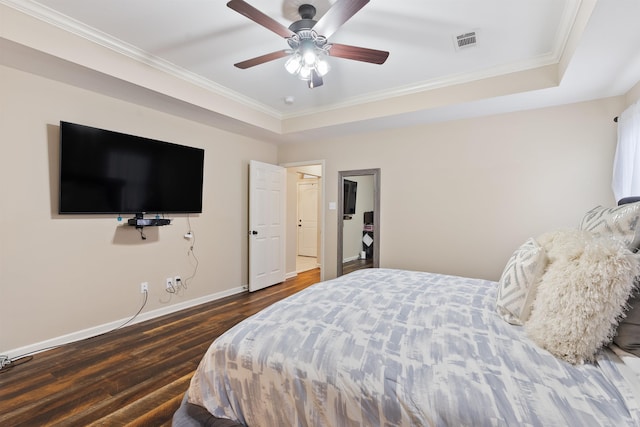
(381, 347)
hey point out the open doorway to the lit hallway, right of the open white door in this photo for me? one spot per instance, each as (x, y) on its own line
(305, 217)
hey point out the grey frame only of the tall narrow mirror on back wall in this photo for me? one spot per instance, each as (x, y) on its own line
(376, 214)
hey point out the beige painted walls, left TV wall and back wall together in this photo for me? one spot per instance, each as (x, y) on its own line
(456, 198)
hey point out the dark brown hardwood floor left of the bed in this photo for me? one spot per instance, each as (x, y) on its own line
(136, 375)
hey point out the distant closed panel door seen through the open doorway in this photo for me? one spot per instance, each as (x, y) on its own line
(308, 219)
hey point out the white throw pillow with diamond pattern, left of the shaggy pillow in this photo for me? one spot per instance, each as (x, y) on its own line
(517, 286)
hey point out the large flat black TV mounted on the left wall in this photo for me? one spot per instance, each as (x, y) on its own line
(106, 172)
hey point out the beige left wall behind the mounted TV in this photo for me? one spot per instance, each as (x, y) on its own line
(62, 274)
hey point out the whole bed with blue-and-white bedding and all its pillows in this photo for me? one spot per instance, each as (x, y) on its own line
(555, 342)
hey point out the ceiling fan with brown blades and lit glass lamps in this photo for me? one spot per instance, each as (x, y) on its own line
(308, 39)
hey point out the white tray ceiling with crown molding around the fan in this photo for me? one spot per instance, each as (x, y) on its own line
(530, 54)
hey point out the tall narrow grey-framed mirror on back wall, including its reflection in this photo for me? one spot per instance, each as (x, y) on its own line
(358, 220)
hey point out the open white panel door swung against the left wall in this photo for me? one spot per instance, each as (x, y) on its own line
(267, 198)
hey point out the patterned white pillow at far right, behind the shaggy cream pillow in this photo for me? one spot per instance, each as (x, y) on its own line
(622, 222)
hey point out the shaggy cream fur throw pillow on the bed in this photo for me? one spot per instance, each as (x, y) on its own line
(582, 294)
